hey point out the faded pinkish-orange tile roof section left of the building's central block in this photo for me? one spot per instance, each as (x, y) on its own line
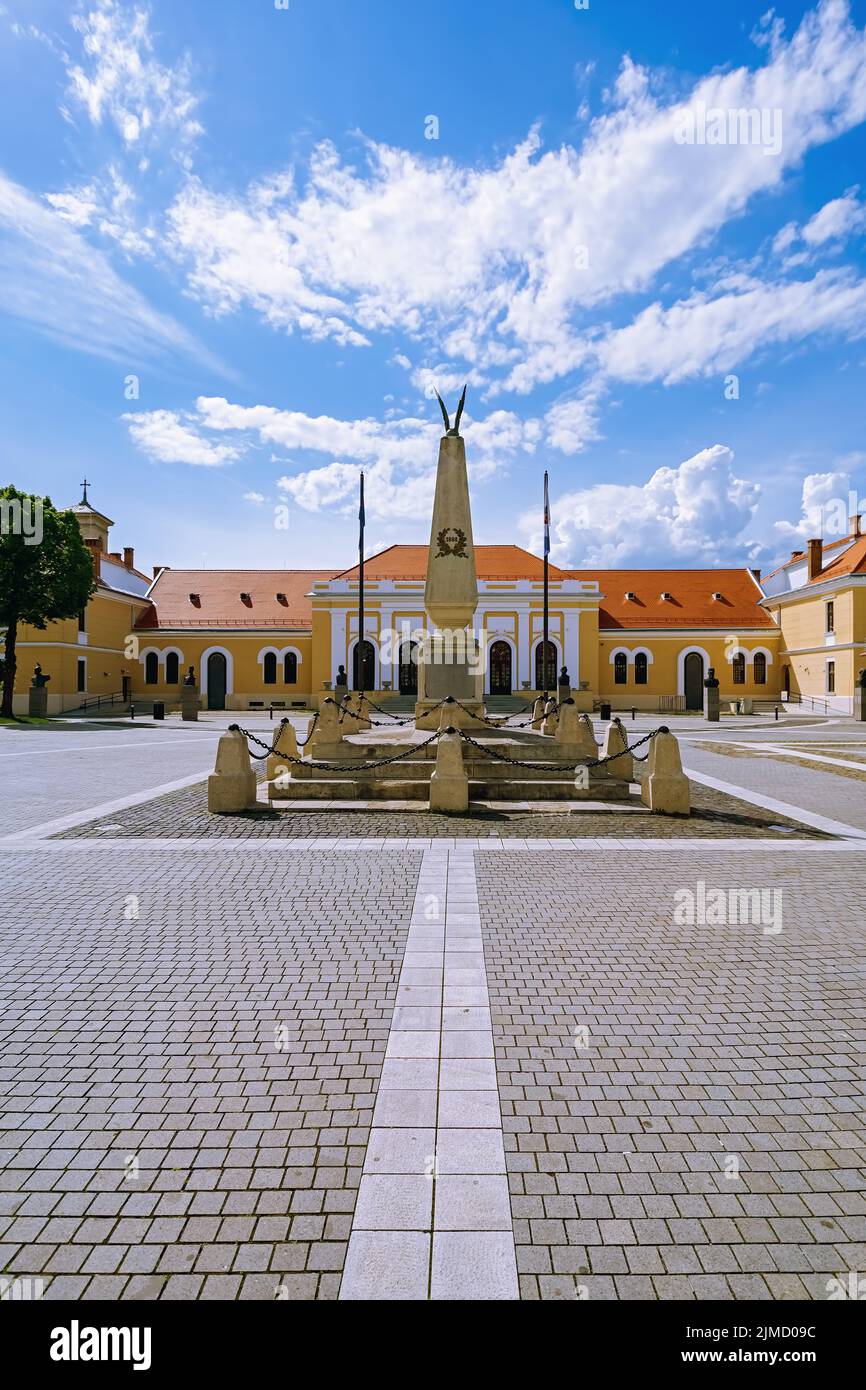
(220, 603)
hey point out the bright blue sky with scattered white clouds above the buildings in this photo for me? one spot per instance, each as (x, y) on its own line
(291, 224)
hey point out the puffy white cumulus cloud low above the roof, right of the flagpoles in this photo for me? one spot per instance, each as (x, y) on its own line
(693, 515)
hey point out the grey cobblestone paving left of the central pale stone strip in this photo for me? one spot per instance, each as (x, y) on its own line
(187, 1093)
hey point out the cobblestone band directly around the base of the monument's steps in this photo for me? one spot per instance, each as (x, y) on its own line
(184, 815)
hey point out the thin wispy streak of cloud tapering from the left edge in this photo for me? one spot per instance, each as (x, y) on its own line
(52, 280)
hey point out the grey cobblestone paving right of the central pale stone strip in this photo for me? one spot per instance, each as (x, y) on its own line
(705, 1047)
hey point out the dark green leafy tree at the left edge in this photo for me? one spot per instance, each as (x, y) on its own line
(45, 572)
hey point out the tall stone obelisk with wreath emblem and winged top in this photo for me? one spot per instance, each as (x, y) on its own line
(450, 661)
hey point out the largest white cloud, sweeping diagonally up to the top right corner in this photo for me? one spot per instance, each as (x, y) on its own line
(487, 263)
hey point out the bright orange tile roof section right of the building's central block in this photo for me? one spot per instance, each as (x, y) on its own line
(692, 604)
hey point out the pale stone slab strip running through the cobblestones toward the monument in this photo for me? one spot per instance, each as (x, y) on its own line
(433, 1217)
